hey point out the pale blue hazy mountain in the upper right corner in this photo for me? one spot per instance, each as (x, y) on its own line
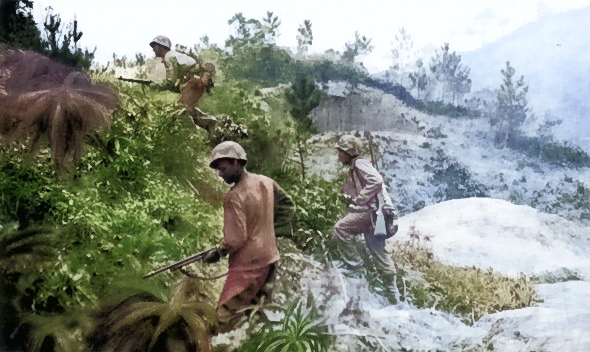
(553, 54)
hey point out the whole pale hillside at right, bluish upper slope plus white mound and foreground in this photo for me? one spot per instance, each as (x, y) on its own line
(518, 217)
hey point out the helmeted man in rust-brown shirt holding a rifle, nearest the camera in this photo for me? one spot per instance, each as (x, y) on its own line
(255, 210)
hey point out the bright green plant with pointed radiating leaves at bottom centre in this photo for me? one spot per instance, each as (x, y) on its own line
(296, 332)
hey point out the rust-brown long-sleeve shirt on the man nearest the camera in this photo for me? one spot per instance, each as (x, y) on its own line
(249, 220)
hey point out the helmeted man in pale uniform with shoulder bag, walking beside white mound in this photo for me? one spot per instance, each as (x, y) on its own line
(363, 187)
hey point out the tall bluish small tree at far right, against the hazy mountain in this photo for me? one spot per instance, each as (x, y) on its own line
(512, 107)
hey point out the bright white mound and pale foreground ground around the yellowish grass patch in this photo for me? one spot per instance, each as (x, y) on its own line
(491, 235)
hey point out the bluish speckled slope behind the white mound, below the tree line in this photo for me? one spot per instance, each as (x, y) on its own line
(436, 158)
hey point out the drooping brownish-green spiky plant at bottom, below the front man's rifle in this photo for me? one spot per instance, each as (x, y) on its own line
(143, 322)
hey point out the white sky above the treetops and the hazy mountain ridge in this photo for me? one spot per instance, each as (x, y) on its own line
(127, 27)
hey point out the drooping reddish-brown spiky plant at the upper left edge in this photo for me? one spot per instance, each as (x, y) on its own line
(39, 96)
